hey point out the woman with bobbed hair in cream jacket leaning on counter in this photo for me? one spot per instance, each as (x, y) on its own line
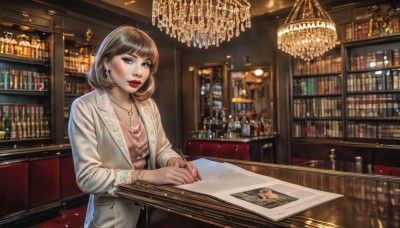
(116, 133)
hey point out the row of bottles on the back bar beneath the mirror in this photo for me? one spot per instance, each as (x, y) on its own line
(226, 126)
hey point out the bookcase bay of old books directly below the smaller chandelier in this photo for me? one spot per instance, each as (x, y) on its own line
(317, 97)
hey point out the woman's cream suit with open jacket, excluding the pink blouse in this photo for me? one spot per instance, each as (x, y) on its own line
(101, 156)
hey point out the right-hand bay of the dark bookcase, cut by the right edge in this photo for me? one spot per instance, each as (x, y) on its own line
(372, 89)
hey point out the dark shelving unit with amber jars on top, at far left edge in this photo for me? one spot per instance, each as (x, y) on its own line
(25, 85)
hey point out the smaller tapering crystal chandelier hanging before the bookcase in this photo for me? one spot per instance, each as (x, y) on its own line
(308, 31)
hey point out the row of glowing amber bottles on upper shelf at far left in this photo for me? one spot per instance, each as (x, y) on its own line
(26, 46)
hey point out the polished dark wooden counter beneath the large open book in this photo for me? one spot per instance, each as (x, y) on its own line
(369, 201)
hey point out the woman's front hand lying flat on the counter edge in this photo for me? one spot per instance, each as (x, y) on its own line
(168, 175)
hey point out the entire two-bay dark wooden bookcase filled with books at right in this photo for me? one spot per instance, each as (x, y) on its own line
(351, 94)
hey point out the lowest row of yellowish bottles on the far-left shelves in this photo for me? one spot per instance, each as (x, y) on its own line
(24, 121)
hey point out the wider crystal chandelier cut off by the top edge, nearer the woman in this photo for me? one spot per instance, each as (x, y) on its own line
(201, 23)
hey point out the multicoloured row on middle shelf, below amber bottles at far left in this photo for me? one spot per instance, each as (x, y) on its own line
(12, 79)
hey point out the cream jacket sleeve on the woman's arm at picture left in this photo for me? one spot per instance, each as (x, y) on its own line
(94, 174)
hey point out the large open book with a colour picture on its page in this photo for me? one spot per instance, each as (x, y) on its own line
(266, 196)
